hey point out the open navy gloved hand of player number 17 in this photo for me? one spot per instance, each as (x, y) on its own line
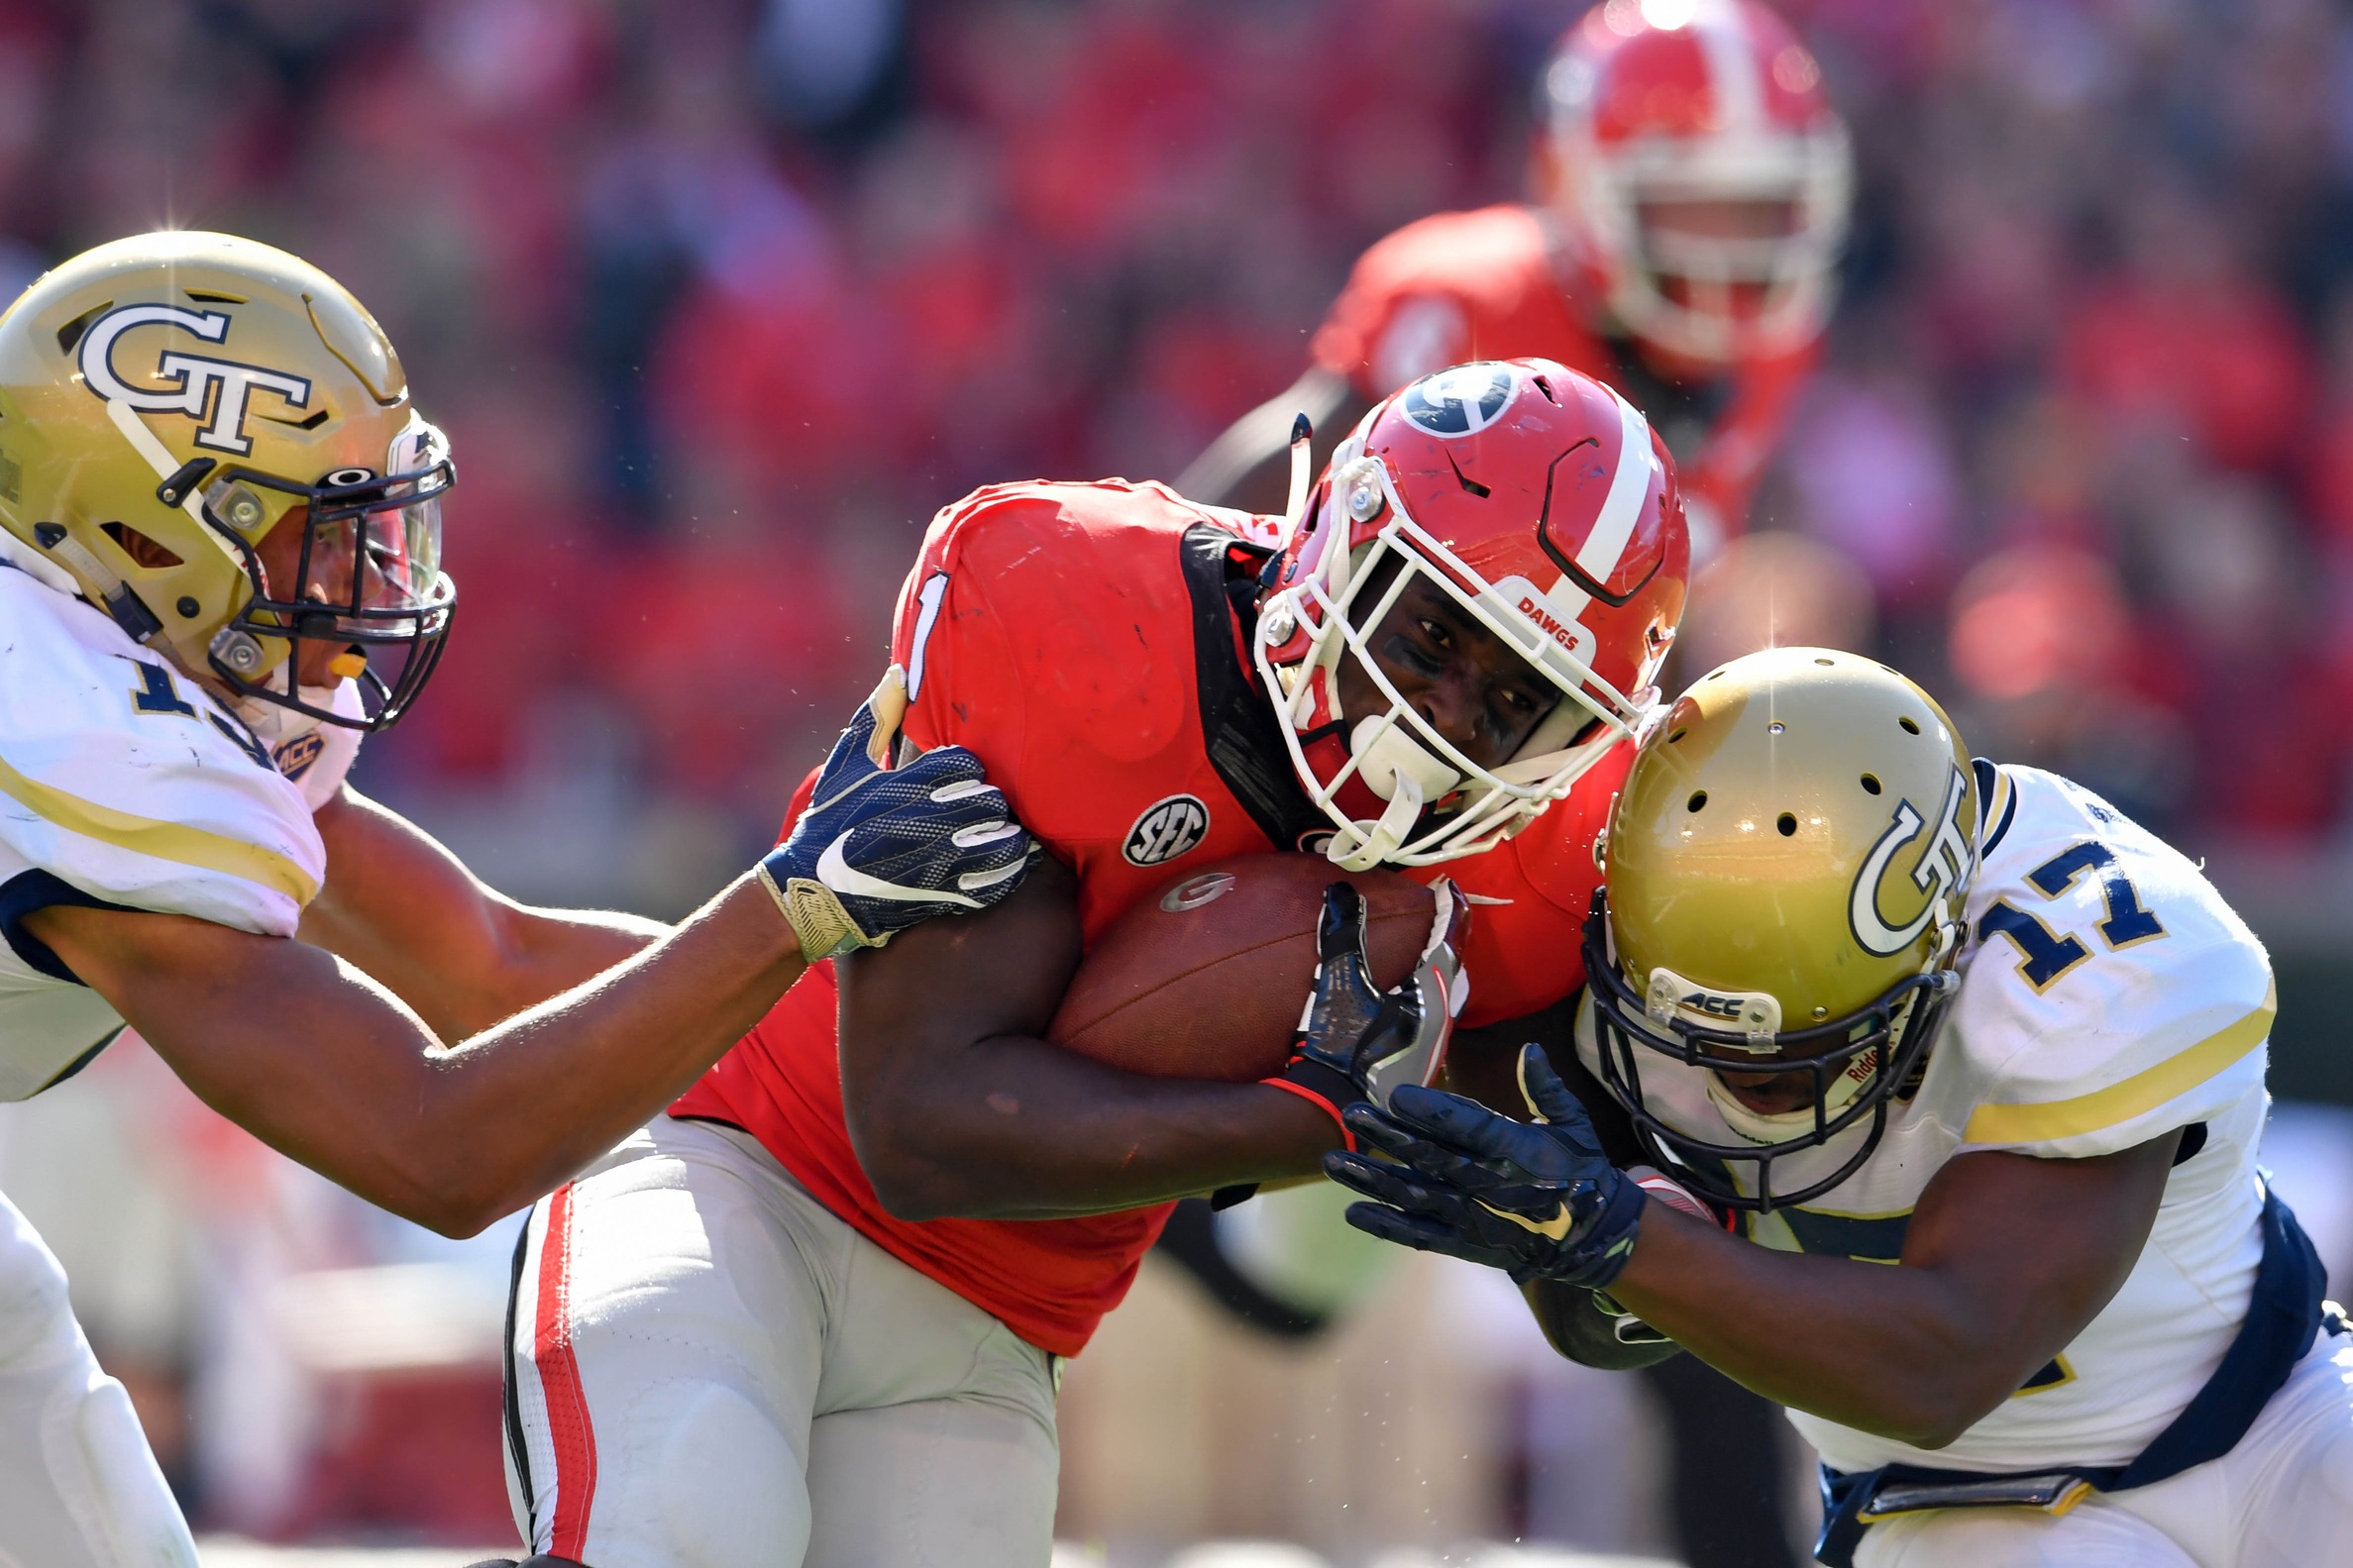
(1533, 1200)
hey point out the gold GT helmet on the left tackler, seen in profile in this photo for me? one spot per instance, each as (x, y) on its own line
(173, 398)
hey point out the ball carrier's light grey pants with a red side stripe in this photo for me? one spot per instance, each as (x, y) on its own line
(707, 1369)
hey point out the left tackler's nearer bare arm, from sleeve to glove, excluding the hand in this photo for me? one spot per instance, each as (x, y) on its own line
(326, 1066)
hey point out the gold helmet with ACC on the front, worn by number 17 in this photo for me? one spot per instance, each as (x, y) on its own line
(1785, 906)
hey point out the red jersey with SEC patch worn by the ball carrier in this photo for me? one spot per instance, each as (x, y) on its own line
(1088, 643)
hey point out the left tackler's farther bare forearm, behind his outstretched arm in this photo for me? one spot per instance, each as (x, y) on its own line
(453, 949)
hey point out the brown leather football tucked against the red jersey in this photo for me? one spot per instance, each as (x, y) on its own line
(1208, 977)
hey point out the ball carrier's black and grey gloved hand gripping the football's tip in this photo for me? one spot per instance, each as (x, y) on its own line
(1361, 1045)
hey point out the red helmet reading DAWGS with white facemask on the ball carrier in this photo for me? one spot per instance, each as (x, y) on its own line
(1545, 507)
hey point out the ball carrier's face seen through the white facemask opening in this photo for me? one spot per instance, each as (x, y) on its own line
(1458, 676)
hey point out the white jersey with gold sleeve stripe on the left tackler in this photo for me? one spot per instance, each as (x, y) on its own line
(126, 784)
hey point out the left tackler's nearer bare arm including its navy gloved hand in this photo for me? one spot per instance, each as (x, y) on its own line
(328, 1066)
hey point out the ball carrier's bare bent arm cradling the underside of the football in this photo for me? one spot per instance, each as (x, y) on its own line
(959, 1108)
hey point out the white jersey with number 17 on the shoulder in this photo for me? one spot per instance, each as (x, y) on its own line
(2109, 996)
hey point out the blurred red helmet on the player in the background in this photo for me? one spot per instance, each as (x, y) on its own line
(1705, 173)
